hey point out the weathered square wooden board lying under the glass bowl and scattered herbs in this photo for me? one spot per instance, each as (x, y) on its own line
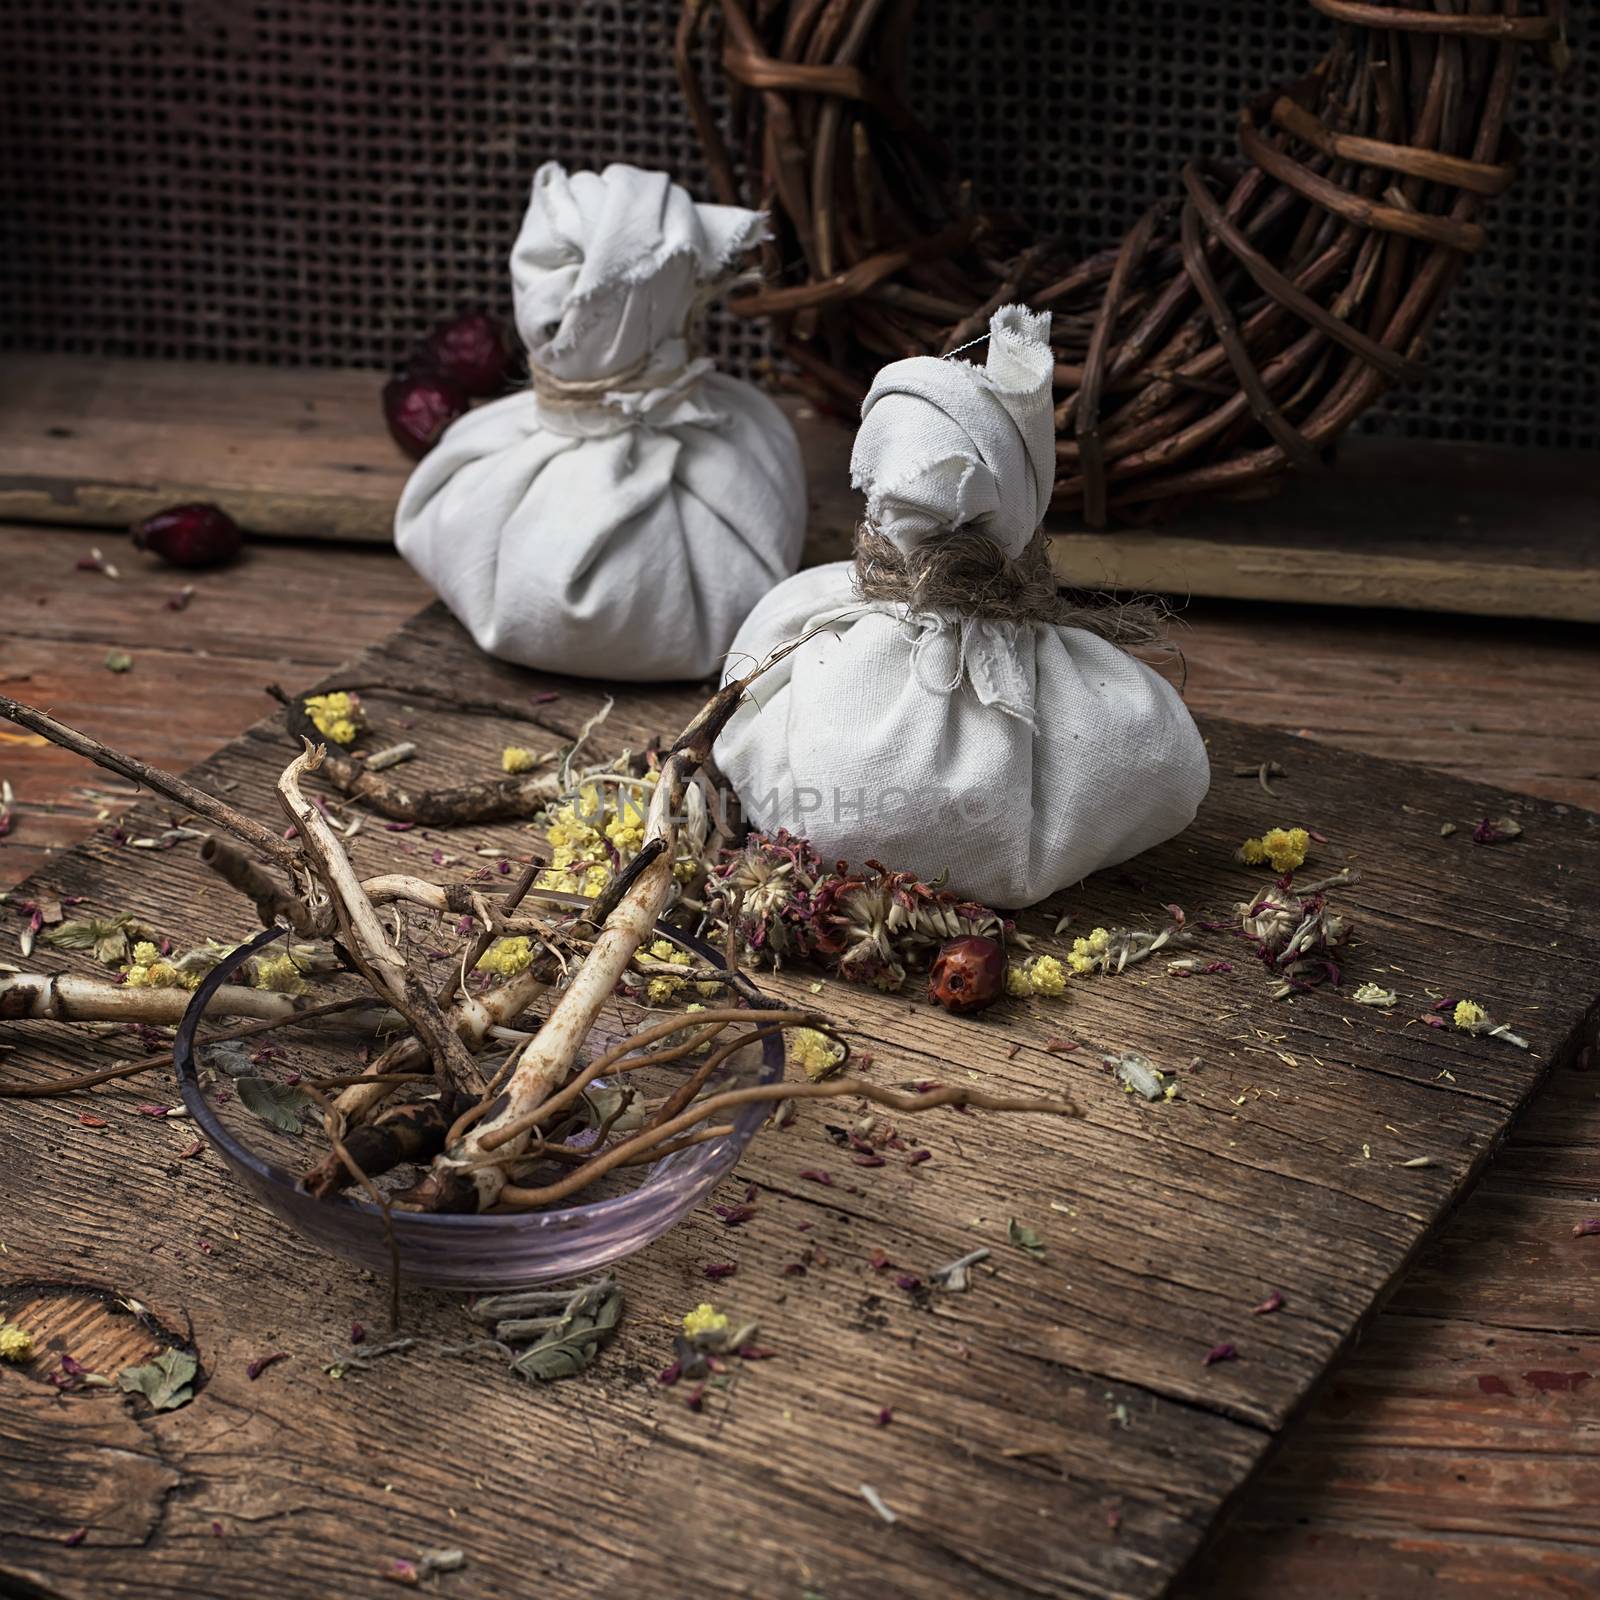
(1055, 1430)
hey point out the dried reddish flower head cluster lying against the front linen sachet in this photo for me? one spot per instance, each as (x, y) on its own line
(870, 927)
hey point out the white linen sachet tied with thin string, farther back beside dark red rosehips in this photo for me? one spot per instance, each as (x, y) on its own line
(622, 516)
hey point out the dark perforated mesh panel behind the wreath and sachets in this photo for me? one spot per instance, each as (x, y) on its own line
(319, 182)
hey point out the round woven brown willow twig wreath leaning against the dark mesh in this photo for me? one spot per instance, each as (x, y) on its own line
(1236, 334)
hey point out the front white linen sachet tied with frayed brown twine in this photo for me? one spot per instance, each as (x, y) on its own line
(943, 711)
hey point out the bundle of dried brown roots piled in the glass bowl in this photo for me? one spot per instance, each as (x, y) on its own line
(542, 1121)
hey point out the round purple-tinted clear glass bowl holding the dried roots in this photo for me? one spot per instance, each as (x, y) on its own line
(495, 1252)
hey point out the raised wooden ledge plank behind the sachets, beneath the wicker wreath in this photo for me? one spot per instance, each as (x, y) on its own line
(305, 454)
